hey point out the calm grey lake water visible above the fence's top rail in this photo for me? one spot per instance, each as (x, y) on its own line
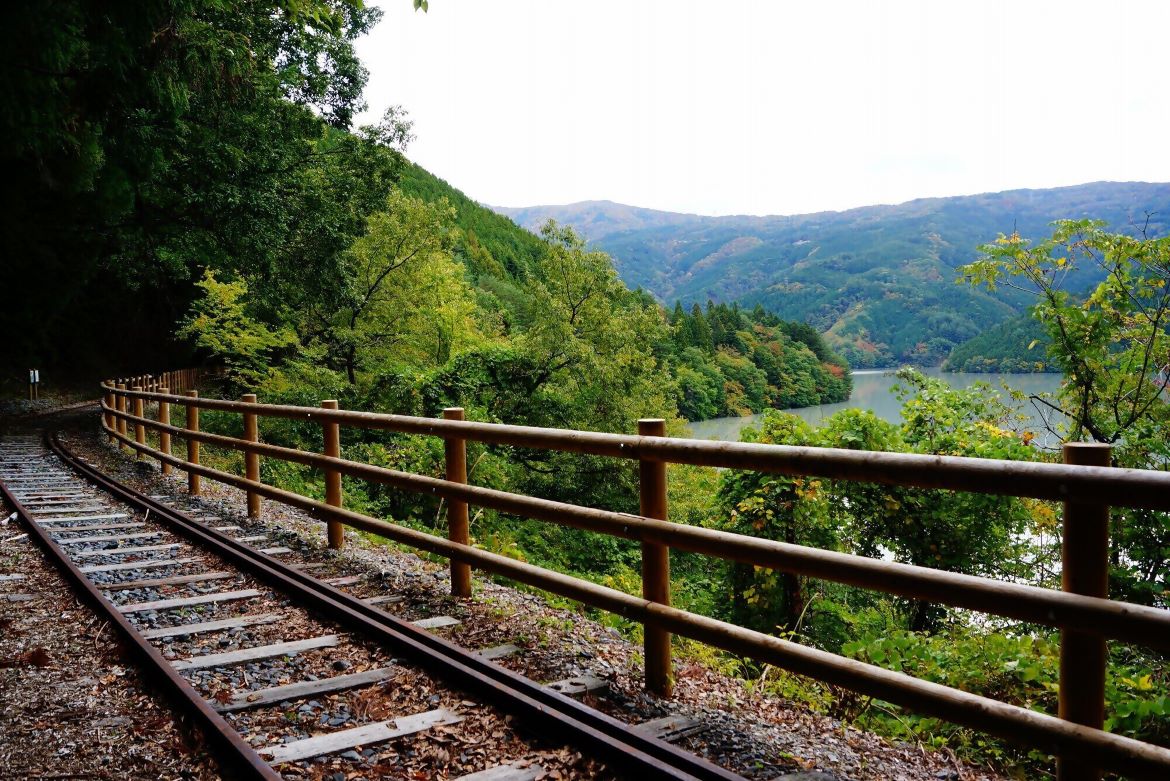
(872, 391)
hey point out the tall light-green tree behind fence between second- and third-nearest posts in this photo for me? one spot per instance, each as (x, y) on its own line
(590, 336)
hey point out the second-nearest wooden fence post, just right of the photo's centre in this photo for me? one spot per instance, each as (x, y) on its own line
(656, 564)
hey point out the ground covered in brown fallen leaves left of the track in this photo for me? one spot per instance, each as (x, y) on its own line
(87, 714)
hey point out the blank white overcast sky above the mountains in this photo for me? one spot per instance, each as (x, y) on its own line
(731, 107)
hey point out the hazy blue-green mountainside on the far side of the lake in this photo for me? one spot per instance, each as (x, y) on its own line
(878, 281)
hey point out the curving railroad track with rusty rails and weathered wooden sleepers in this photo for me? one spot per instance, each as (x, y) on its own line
(251, 646)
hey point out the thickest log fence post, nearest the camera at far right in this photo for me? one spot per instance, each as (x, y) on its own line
(1085, 570)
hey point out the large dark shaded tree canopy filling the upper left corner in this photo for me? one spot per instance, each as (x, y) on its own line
(144, 143)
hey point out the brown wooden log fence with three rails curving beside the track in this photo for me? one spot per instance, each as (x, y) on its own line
(1085, 618)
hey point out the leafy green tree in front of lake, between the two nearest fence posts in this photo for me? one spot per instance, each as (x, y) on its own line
(946, 530)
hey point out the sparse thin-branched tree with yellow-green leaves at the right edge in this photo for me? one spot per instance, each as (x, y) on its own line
(1113, 348)
